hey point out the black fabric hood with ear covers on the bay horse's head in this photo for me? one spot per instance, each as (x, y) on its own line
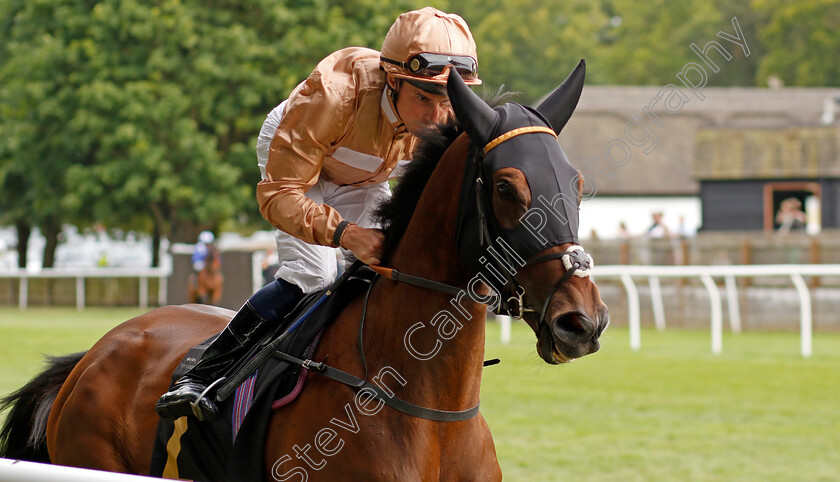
(495, 134)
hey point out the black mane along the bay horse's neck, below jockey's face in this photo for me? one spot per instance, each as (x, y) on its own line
(394, 214)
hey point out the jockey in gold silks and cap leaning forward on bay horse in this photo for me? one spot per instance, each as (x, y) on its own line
(326, 155)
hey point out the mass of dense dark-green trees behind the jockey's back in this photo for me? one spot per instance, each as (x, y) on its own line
(145, 116)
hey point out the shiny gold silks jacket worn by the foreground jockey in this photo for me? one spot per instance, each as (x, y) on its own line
(340, 124)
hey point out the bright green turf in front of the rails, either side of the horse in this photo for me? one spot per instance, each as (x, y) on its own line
(672, 411)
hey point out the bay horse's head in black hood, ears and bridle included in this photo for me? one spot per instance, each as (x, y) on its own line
(523, 240)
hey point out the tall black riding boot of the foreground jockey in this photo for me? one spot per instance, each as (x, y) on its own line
(257, 315)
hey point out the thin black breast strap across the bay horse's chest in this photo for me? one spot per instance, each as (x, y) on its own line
(380, 394)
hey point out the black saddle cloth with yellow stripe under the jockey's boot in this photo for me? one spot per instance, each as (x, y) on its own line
(230, 448)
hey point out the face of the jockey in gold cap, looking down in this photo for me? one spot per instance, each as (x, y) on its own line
(419, 109)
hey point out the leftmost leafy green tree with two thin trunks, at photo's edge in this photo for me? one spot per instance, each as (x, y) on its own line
(38, 82)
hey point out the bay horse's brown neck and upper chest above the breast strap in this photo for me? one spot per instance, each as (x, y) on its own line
(438, 340)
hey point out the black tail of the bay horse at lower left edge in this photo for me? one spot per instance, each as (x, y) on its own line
(24, 433)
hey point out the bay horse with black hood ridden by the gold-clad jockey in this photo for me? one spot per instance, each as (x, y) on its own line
(419, 342)
